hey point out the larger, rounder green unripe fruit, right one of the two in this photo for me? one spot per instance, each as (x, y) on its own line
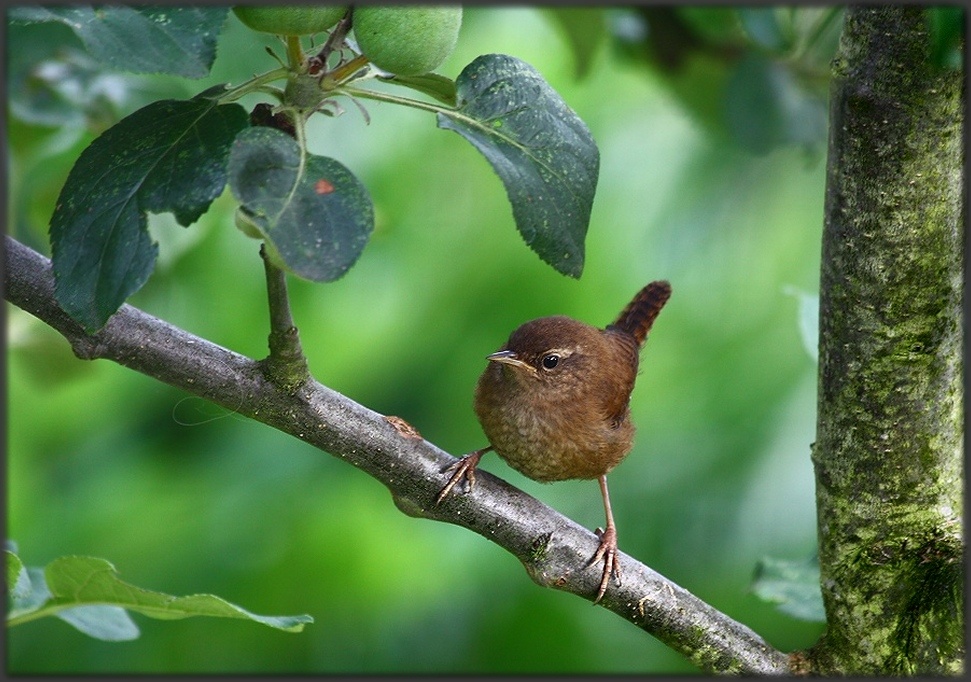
(407, 40)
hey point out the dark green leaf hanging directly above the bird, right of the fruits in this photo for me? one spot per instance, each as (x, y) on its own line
(539, 147)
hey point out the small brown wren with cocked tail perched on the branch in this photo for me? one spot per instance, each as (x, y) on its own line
(554, 404)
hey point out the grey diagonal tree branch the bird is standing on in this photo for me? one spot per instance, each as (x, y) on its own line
(553, 549)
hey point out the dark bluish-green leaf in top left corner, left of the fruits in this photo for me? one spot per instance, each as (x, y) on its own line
(174, 40)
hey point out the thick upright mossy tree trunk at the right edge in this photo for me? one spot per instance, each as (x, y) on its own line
(888, 452)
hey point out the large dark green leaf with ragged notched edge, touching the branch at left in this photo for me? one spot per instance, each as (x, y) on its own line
(168, 156)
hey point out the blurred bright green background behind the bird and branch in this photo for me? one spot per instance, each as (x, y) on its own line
(706, 180)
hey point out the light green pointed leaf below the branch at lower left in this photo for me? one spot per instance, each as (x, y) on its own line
(87, 593)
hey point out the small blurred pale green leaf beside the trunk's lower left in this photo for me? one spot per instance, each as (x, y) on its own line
(792, 585)
